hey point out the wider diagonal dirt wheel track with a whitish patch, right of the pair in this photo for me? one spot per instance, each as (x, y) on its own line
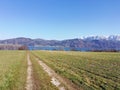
(55, 78)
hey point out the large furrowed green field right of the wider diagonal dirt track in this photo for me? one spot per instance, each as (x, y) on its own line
(87, 70)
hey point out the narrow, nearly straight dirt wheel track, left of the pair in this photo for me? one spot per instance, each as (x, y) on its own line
(29, 82)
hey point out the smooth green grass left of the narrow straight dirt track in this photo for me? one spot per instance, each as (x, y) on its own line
(13, 67)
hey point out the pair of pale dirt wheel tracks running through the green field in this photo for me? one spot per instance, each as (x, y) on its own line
(56, 80)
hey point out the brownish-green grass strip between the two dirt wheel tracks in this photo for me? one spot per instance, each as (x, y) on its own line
(41, 78)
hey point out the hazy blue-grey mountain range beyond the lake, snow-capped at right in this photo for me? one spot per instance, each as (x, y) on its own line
(90, 43)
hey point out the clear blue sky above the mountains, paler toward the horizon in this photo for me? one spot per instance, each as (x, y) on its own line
(58, 19)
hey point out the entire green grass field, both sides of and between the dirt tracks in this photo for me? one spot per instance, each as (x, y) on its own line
(86, 70)
